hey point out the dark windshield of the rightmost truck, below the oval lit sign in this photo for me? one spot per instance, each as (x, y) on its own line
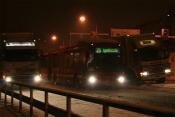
(147, 54)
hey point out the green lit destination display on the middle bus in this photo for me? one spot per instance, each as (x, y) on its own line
(106, 50)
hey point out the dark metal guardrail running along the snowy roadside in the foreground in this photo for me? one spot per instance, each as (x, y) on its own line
(49, 109)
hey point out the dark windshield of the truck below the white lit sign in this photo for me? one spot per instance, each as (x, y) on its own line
(21, 55)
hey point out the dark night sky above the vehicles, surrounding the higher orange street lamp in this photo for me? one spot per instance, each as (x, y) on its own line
(60, 16)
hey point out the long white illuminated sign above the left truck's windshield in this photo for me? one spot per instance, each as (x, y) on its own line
(11, 44)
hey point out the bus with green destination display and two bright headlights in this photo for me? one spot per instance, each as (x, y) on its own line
(89, 63)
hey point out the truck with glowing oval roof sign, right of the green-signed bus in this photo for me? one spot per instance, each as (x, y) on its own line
(148, 57)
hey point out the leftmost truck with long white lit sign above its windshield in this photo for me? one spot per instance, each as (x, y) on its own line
(20, 58)
